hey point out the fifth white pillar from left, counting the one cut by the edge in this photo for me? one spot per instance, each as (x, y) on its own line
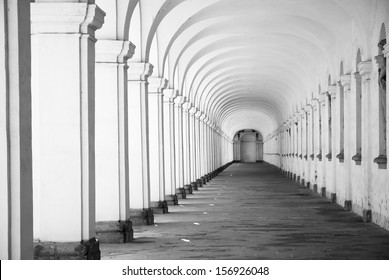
(156, 143)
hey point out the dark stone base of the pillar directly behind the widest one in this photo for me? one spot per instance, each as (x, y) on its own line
(114, 232)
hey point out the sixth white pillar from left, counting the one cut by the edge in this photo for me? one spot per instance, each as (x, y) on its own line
(169, 145)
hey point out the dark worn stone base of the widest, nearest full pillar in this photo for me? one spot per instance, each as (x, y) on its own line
(86, 250)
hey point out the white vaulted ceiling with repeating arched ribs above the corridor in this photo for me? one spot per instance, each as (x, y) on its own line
(248, 63)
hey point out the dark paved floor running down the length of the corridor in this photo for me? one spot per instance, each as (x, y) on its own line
(250, 211)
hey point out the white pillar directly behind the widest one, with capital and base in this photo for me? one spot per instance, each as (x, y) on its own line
(111, 144)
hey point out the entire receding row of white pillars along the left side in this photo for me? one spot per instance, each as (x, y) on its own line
(95, 144)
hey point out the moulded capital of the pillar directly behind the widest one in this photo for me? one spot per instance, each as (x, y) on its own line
(114, 51)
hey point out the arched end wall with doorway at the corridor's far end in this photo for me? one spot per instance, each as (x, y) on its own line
(248, 146)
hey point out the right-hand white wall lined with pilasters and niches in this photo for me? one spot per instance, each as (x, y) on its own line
(336, 144)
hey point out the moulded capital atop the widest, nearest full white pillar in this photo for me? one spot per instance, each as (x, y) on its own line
(66, 18)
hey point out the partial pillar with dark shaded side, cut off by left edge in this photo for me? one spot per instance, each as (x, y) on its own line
(16, 203)
